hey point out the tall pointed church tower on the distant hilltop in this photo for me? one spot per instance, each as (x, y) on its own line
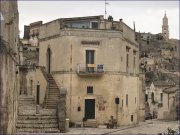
(165, 27)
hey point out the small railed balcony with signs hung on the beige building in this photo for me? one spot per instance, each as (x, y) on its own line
(90, 70)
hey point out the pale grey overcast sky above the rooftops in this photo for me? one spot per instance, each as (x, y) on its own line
(146, 14)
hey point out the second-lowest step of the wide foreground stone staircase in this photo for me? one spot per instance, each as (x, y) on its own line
(35, 125)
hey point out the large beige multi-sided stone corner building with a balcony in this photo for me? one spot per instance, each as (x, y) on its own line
(96, 61)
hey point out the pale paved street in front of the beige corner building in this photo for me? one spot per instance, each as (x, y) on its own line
(148, 127)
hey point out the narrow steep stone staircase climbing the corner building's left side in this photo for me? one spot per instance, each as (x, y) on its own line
(53, 93)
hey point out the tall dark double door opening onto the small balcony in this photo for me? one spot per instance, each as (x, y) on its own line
(89, 60)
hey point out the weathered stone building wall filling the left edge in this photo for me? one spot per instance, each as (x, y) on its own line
(9, 61)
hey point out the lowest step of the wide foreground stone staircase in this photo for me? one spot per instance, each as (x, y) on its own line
(45, 130)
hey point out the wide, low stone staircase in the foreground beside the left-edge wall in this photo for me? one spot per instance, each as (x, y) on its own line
(30, 122)
